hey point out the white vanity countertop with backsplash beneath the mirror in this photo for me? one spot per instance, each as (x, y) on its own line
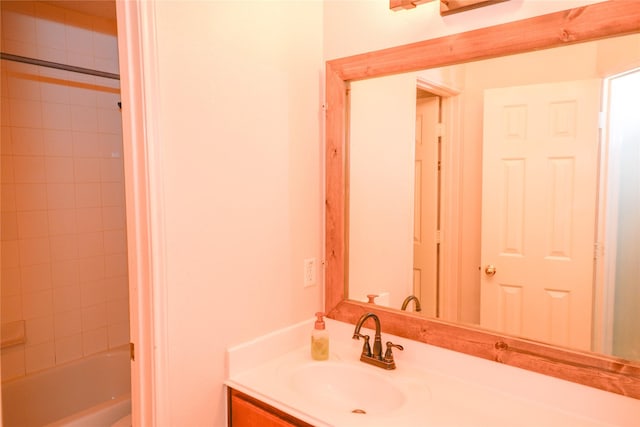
(439, 387)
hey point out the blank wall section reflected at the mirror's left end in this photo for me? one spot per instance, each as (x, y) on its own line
(381, 187)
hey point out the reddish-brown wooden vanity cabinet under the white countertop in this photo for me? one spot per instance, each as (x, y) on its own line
(246, 411)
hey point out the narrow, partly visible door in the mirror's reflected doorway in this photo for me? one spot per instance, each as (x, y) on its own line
(425, 229)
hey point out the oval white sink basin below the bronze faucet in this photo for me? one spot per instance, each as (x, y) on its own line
(346, 387)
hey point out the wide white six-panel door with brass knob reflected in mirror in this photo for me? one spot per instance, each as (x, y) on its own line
(540, 153)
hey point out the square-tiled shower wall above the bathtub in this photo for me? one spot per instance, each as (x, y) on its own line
(63, 259)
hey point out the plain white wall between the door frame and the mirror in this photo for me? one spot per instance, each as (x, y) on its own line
(239, 144)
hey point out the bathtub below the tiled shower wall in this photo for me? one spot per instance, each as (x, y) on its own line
(94, 391)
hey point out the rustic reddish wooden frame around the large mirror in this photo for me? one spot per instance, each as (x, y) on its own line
(592, 22)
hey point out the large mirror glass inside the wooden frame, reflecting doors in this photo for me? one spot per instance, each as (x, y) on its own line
(531, 141)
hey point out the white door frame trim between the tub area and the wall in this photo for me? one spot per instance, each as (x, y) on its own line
(145, 222)
